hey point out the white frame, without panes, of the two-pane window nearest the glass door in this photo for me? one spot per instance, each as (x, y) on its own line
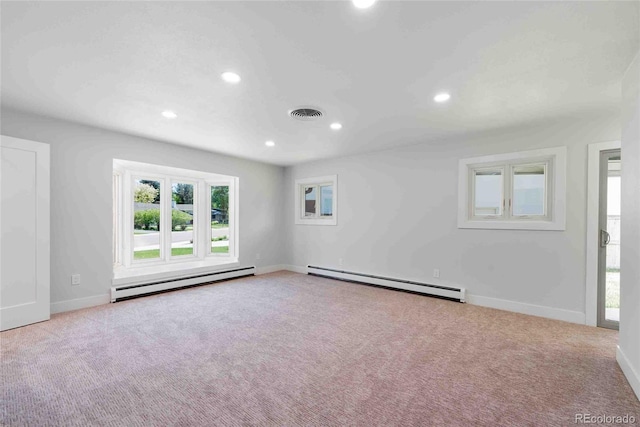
(554, 161)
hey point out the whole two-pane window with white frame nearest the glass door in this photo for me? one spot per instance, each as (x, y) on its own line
(523, 190)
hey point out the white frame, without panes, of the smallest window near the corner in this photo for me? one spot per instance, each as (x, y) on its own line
(299, 201)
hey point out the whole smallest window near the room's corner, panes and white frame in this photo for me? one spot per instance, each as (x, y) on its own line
(316, 200)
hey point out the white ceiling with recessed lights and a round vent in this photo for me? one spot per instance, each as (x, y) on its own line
(118, 65)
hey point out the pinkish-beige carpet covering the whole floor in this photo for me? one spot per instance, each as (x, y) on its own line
(290, 349)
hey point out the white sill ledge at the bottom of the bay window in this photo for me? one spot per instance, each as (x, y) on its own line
(149, 273)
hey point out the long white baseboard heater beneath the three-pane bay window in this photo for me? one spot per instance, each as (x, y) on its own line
(124, 292)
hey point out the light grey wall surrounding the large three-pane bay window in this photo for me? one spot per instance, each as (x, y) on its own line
(81, 206)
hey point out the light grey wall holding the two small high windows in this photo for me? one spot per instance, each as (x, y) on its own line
(397, 213)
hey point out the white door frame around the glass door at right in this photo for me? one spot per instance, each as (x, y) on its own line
(593, 228)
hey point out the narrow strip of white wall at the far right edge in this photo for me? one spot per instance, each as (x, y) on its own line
(629, 339)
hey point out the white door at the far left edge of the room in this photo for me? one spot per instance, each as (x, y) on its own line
(24, 226)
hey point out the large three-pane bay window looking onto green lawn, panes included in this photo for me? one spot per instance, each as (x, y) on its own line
(170, 217)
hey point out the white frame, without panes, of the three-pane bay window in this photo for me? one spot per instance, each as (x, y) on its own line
(125, 267)
